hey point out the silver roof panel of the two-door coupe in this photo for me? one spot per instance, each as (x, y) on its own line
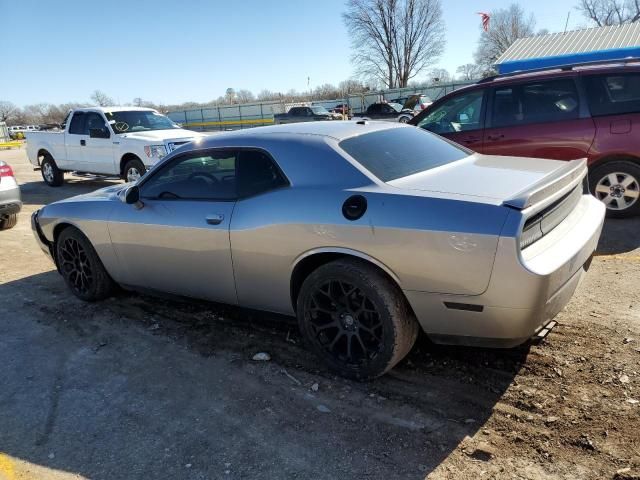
(338, 130)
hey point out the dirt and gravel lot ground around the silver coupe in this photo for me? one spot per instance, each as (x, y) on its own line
(139, 387)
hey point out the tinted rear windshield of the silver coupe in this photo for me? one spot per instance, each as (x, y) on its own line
(400, 152)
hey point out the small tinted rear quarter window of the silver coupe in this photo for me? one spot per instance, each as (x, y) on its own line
(257, 173)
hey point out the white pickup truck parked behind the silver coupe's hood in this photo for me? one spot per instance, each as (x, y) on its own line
(122, 141)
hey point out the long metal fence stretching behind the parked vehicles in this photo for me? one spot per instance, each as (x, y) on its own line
(234, 117)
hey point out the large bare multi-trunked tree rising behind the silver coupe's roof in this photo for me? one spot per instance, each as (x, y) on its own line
(394, 40)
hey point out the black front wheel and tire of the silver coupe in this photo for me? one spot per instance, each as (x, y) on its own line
(81, 267)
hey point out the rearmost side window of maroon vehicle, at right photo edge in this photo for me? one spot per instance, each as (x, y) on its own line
(613, 94)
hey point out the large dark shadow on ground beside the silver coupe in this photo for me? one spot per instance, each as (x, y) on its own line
(140, 387)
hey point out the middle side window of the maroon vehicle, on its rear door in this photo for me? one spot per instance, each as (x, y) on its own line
(537, 102)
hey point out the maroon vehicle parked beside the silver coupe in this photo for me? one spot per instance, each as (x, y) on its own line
(588, 112)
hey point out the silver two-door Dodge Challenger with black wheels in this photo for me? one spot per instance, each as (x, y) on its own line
(366, 231)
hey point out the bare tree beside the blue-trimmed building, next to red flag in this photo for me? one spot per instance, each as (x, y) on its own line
(507, 25)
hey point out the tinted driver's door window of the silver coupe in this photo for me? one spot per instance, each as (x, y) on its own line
(210, 176)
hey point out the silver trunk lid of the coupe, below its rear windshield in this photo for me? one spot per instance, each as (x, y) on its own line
(500, 179)
